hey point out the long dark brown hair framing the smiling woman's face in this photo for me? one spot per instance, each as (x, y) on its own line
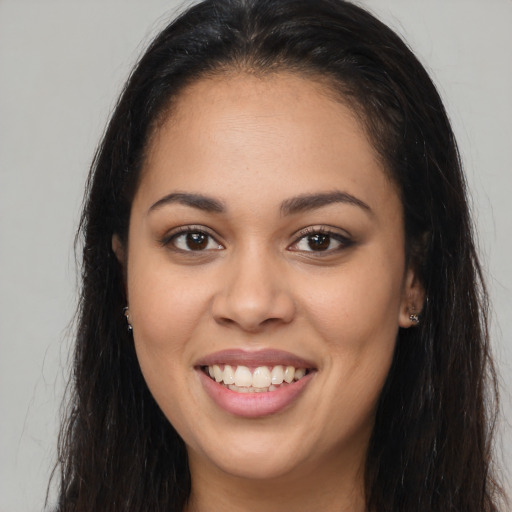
(431, 445)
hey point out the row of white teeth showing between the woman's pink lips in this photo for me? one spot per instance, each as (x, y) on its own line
(261, 379)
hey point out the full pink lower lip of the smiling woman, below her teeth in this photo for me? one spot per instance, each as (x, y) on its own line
(254, 405)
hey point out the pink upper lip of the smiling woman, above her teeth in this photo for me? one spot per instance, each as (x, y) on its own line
(263, 357)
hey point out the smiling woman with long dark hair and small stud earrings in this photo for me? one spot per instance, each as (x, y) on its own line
(278, 211)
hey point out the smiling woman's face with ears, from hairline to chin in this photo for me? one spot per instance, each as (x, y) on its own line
(264, 235)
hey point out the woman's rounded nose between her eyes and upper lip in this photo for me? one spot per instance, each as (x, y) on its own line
(254, 293)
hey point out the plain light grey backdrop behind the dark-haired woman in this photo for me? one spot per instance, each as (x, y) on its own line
(62, 64)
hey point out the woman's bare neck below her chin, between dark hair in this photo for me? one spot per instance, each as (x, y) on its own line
(324, 487)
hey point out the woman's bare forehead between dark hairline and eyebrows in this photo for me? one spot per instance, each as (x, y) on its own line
(261, 133)
